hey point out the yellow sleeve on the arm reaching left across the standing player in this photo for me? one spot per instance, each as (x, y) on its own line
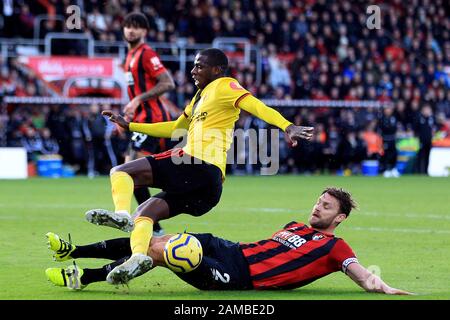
(161, 129)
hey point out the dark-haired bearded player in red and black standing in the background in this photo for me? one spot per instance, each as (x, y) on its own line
(147, 80)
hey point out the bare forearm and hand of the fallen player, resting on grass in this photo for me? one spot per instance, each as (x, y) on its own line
(371, 282)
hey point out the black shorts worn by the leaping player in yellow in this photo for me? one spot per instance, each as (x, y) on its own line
(188, 185)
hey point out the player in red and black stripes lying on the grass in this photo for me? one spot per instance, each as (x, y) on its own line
(292, 257)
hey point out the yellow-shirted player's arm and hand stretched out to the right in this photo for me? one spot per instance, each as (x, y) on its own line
(256, 107)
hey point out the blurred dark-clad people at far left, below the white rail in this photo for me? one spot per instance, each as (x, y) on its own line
(85, 139)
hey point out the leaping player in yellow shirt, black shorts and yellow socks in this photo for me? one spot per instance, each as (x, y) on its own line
(190, 178)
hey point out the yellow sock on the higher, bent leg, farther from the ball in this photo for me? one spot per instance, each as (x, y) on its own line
(122, 186)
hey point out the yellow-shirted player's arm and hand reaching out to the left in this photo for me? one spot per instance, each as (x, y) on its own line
(160, 129)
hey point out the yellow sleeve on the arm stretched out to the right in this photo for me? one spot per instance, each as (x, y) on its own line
(256, 107)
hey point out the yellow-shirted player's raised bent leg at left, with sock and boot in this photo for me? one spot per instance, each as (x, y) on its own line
(123, 180)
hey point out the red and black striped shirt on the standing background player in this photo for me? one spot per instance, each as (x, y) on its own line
(142, 67)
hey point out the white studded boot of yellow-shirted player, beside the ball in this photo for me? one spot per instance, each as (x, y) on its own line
(137, 265)
